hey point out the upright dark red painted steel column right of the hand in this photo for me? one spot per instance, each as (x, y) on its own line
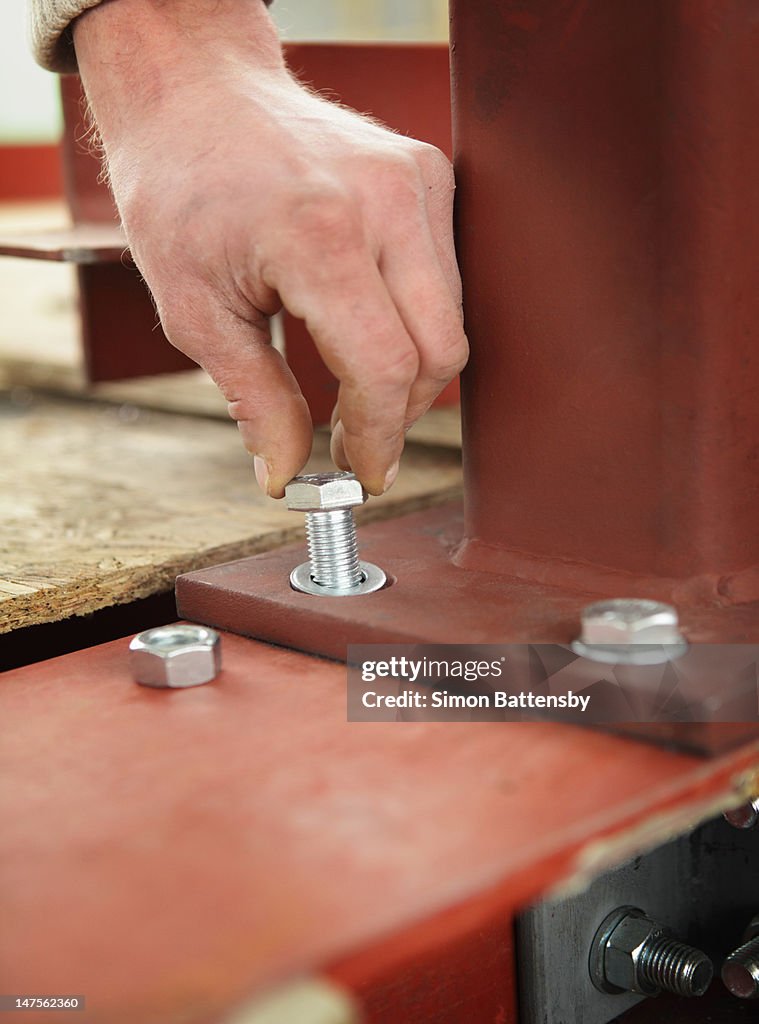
(608, 164)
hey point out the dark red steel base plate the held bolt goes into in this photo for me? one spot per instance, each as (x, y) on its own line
(430, 600)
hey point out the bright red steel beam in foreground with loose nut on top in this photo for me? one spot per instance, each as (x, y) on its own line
(167, 854)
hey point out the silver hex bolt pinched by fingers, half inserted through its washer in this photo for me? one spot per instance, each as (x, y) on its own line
(333, 569)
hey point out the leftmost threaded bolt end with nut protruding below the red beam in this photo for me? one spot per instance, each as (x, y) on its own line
(634, 954)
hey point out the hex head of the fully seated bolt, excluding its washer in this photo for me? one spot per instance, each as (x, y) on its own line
(626, 621)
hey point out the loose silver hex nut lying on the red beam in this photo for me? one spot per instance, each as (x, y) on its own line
(176, 657)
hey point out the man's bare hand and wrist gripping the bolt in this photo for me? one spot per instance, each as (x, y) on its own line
(240, 193)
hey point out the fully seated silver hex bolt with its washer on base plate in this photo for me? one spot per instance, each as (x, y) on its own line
(630, 631)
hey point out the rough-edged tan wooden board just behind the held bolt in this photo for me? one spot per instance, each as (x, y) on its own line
(103, 504)
